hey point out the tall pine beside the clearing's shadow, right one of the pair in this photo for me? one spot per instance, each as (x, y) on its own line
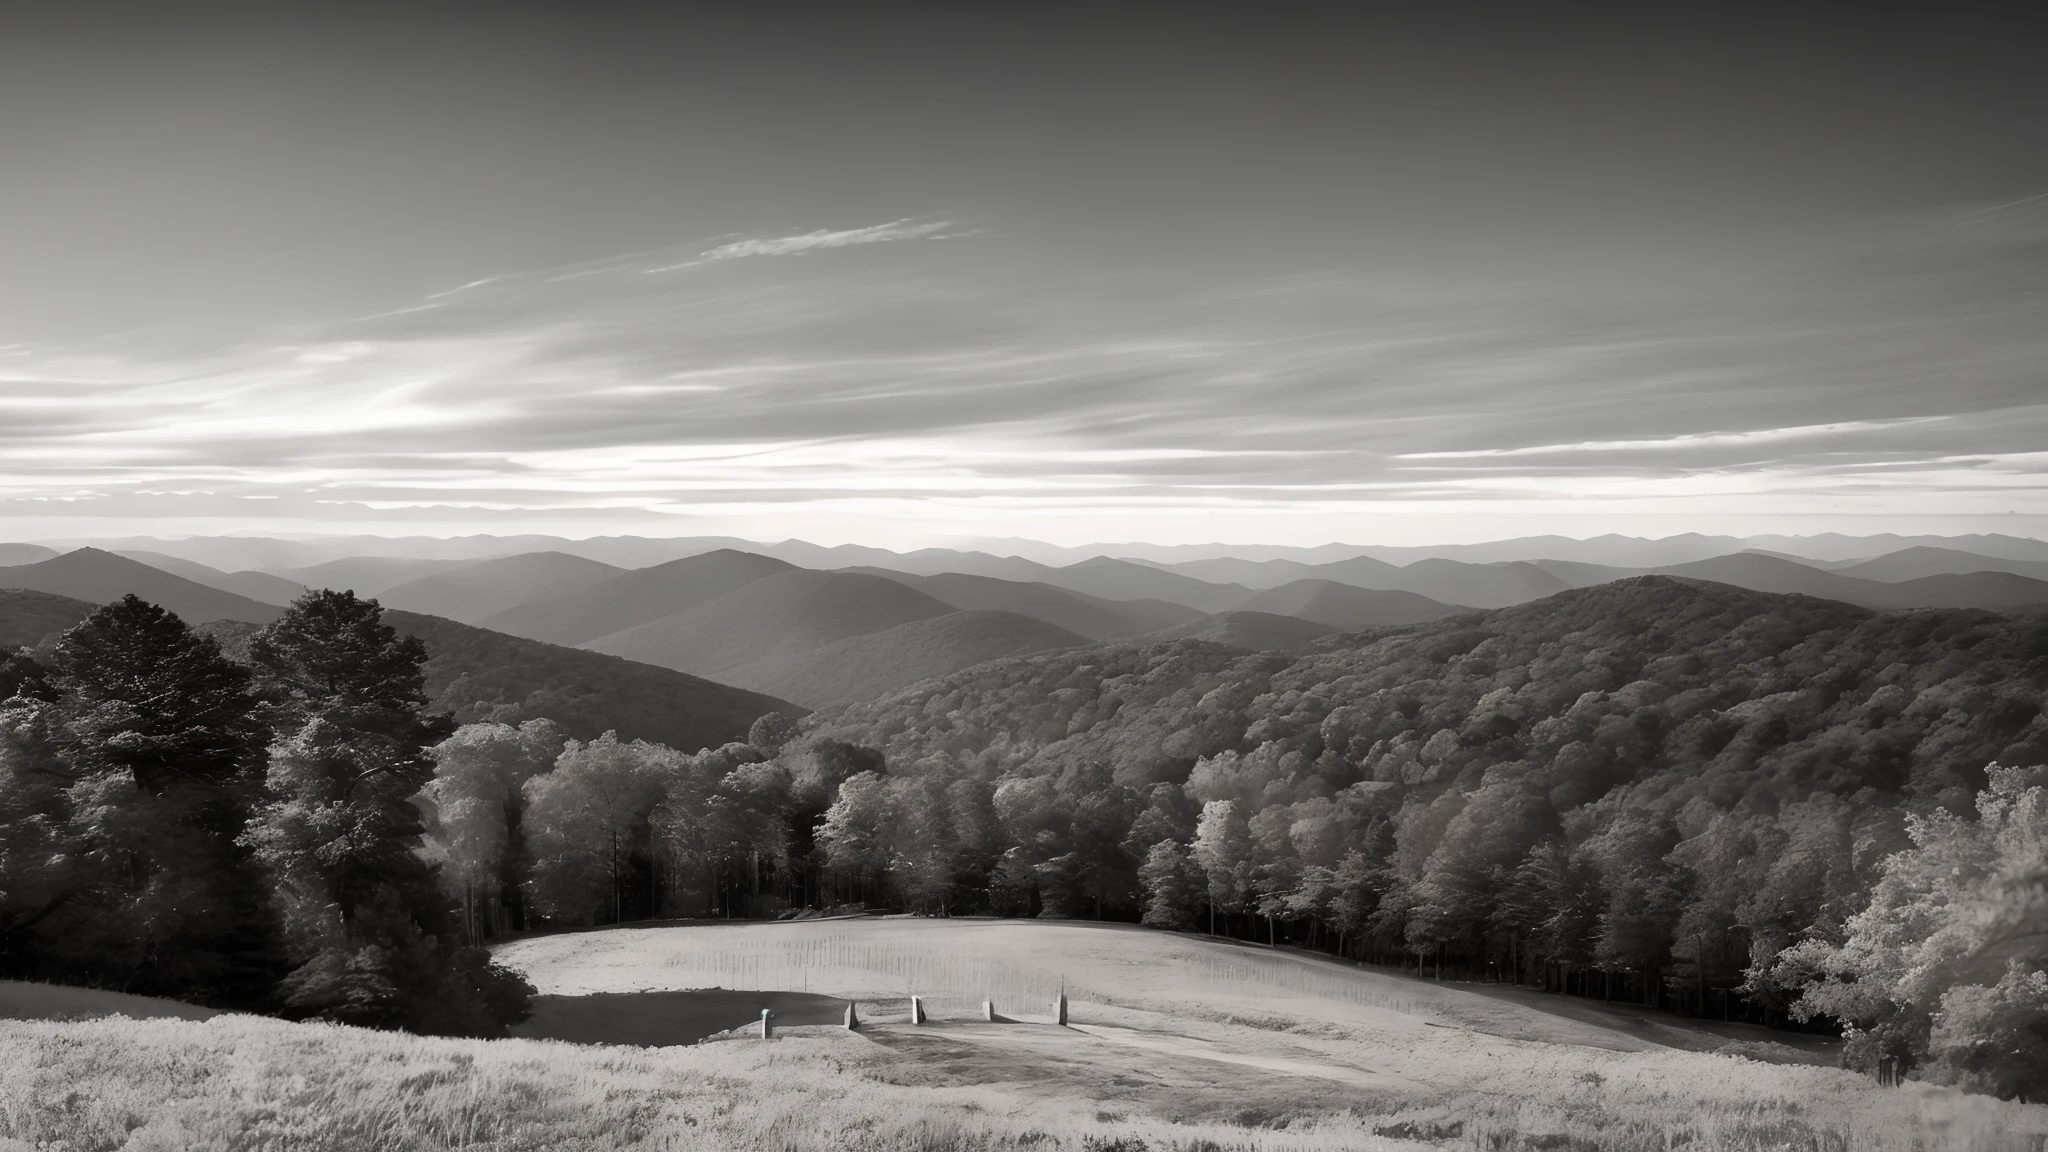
(370, 932)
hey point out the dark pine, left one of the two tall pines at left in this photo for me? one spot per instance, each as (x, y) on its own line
(165, 757)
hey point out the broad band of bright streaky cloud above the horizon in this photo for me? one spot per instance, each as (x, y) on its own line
(978, 386)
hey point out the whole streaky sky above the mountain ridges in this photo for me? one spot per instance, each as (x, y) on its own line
(904, 276)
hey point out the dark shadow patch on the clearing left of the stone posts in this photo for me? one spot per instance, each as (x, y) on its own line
(660, 1020)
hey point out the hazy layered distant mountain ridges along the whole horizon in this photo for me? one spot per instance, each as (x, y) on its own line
(830, 626)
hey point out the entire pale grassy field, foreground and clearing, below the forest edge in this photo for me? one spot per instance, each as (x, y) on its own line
(1177, 1044)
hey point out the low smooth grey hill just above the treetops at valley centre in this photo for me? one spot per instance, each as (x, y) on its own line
(865, 667)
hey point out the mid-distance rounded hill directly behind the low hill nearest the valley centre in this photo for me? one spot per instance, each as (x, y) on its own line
(759, 628)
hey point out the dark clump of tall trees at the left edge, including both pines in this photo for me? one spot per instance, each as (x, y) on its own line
(175, 823)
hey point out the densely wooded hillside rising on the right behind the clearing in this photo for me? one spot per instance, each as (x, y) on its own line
(1648, 788)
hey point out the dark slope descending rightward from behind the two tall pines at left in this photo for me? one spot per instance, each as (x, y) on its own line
(484, 675)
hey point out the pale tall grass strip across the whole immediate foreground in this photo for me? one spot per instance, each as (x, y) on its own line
(245, 1085)
